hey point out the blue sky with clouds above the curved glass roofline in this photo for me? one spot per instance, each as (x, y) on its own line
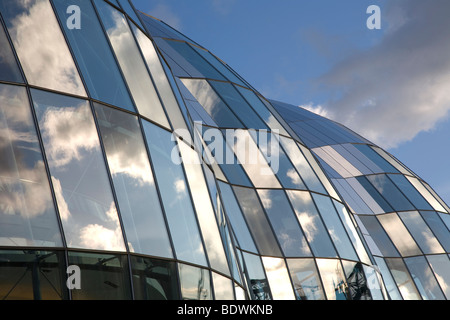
(390, 85)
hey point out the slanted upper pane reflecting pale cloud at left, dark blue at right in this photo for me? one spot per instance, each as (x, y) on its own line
(212, 103)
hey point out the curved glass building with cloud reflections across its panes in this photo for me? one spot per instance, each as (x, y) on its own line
(135, 164)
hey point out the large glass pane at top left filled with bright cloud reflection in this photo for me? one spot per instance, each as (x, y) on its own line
(40, 45)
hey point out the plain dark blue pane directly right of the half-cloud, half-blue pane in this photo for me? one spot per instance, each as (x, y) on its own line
(238, 105)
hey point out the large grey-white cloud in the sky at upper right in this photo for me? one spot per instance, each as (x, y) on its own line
(399, 87)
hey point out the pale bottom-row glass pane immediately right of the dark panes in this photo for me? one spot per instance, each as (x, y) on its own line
(195, 283)
